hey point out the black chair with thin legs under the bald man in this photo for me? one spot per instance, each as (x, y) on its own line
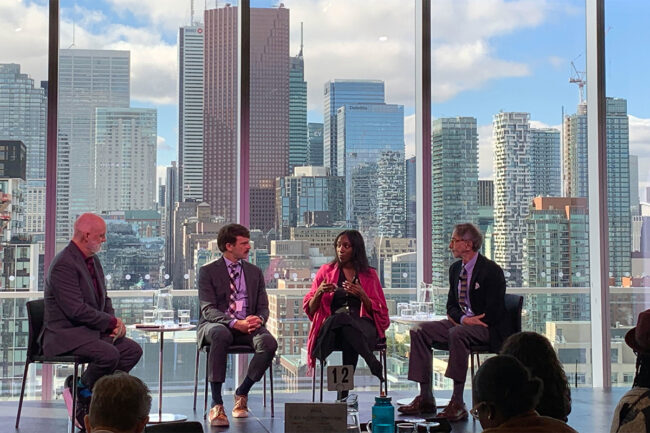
(35, 312)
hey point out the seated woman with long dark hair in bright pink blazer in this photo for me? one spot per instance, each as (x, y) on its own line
(347, 307)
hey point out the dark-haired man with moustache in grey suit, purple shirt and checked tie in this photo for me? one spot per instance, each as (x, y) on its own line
(234, 310)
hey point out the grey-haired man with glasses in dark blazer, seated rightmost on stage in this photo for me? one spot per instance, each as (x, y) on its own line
(476, 314)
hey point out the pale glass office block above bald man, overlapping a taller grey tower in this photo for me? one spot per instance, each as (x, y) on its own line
(125, 158)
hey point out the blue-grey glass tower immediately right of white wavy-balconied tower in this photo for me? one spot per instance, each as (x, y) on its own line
(545, 165)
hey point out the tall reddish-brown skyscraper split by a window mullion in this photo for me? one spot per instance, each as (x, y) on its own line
(269, 111)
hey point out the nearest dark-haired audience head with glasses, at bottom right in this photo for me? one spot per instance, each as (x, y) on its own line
(503, 388)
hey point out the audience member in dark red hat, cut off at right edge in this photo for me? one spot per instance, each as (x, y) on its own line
(632, 414)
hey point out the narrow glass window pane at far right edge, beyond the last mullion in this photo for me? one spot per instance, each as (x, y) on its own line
(628, 177)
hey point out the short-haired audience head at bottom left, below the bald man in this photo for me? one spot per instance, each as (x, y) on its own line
(120, 404)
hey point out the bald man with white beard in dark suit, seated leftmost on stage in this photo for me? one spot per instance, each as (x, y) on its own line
(79, 317)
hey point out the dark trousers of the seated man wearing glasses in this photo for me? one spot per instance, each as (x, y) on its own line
(458, 337)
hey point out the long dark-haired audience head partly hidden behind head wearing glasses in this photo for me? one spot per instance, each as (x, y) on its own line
(537, 354)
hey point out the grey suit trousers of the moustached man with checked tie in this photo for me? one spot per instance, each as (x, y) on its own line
(221, 337)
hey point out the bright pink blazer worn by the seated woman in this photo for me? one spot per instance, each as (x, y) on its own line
(370, 284)
